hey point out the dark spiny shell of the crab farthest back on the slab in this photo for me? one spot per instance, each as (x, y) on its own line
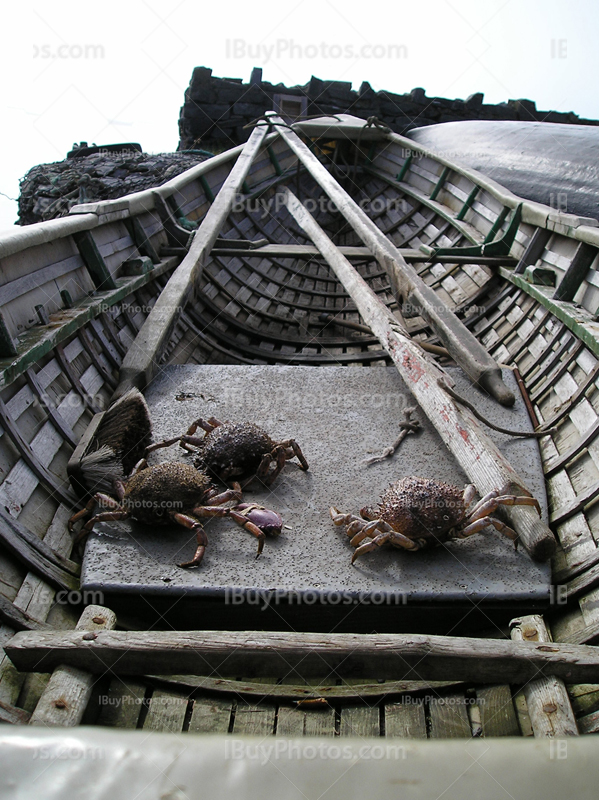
(233, 449)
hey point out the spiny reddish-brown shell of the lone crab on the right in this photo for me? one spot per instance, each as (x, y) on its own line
(421, 509)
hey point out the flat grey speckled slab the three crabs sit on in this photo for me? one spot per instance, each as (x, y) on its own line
(340, 416)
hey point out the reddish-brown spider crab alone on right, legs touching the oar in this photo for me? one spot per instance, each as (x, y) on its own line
(417, 513)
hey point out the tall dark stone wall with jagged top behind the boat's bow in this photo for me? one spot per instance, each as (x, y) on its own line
(216, 109)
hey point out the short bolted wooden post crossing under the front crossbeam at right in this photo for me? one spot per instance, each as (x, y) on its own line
(547, 699)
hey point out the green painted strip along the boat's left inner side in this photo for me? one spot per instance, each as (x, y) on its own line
(37, 342)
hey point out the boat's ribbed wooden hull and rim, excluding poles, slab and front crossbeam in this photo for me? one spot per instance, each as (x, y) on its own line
(75, 293)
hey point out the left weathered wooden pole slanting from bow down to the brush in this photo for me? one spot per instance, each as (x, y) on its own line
(141, 361)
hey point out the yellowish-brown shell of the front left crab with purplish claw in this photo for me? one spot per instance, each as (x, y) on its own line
(153, 492)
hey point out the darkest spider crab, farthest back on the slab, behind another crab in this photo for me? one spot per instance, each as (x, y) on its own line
(238, 451)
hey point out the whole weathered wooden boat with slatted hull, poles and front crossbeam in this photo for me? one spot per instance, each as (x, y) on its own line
(117, 290)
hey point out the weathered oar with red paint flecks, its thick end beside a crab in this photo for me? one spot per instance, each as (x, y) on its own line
(479, 457)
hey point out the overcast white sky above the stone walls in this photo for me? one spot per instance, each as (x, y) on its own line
(117, 71)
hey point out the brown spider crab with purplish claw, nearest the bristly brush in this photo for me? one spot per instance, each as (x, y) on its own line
(174, 492)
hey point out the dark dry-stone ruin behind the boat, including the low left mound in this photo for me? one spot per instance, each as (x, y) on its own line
(214, 116)
